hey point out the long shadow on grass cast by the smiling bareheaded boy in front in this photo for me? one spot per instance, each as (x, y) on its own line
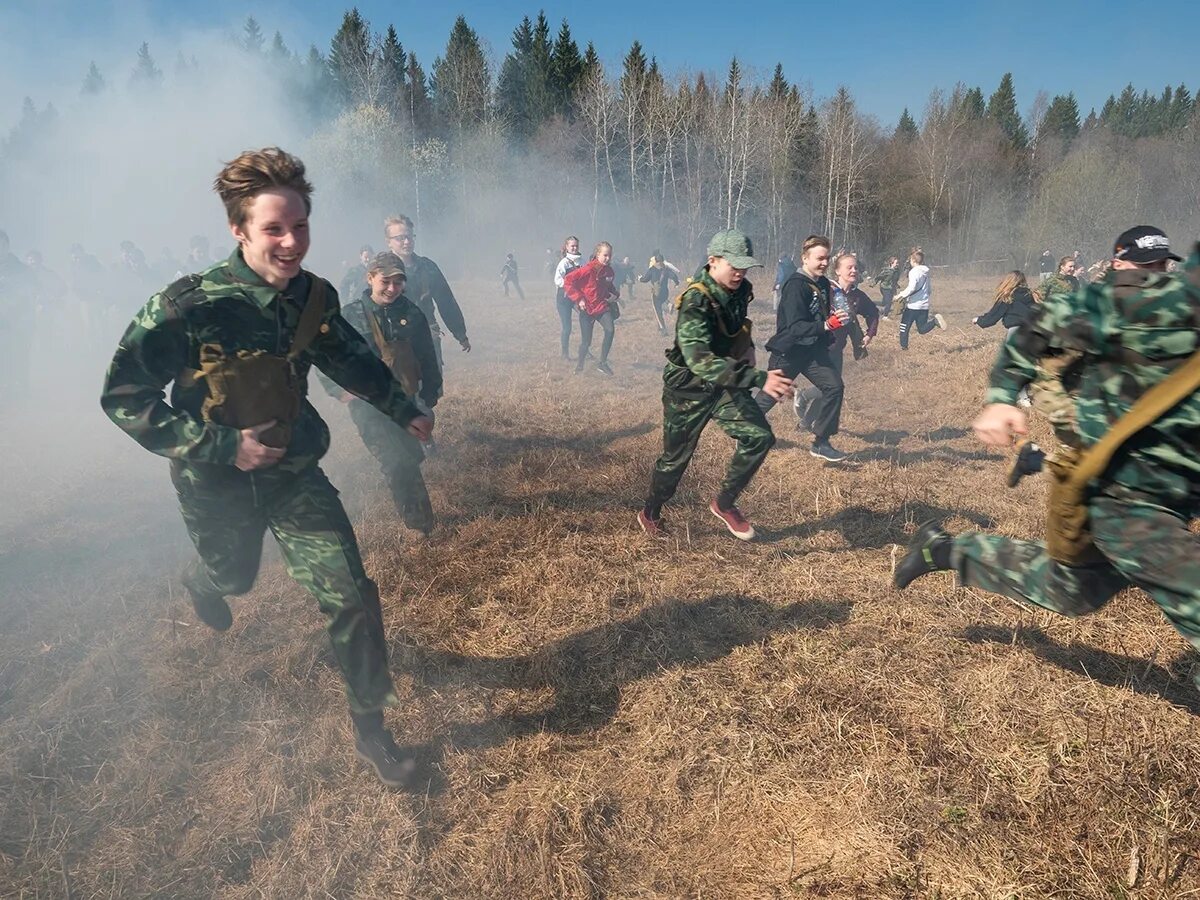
(587, 671)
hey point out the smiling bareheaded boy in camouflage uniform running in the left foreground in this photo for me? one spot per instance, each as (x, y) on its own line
(235, 482)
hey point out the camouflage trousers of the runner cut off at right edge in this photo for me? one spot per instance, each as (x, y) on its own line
(1143, 543)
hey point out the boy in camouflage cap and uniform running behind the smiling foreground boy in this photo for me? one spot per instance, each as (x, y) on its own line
(392, 325)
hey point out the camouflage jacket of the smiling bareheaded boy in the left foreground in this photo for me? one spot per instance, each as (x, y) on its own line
(232, 307)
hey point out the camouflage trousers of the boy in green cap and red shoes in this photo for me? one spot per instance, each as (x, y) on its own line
(685, 417)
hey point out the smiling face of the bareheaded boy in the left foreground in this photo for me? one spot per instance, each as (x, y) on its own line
(275, 236)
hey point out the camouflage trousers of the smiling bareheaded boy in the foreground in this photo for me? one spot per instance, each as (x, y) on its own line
(227, 512)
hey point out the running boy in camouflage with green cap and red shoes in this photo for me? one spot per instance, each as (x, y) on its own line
(709, 376)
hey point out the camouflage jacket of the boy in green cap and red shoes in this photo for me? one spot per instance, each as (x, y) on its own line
(706, 329)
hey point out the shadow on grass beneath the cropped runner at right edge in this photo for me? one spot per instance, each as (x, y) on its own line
(1114, 670)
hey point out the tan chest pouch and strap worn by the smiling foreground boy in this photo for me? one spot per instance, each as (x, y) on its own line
(249, 388)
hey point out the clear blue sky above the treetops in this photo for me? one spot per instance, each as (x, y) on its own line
(889, 55)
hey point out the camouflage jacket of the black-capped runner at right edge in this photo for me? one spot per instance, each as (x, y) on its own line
(1131, 332)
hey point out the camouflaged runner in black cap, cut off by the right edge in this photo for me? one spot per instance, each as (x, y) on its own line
(1131, 332)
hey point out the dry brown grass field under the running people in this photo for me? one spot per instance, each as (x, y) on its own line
(603, 716)
